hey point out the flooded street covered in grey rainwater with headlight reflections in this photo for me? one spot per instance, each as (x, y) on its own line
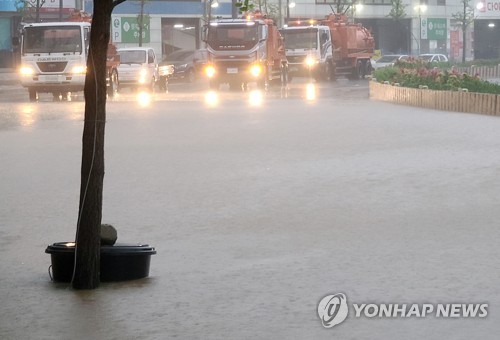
(259, 205)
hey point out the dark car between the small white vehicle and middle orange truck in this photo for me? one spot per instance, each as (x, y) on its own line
(187, 64)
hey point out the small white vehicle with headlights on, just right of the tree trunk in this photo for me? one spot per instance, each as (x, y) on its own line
(138, 68)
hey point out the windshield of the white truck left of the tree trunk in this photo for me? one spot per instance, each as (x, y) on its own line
(52, 39)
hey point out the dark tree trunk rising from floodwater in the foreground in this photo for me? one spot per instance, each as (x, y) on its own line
(87, 255)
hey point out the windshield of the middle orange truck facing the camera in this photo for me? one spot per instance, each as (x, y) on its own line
(233, 37)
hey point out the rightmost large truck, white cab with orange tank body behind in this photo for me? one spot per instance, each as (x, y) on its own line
(329, 47)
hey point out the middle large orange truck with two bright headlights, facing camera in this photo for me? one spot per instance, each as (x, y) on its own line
(245, 50)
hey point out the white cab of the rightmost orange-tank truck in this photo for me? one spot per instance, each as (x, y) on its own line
(308, 49)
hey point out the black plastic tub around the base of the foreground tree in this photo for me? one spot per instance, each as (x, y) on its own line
(119, 262)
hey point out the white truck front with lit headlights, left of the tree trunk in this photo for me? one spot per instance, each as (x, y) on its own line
(54, 58)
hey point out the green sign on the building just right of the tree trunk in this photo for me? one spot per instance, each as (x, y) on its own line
(126, 29)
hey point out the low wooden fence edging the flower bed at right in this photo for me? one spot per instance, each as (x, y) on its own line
(483, 103)
